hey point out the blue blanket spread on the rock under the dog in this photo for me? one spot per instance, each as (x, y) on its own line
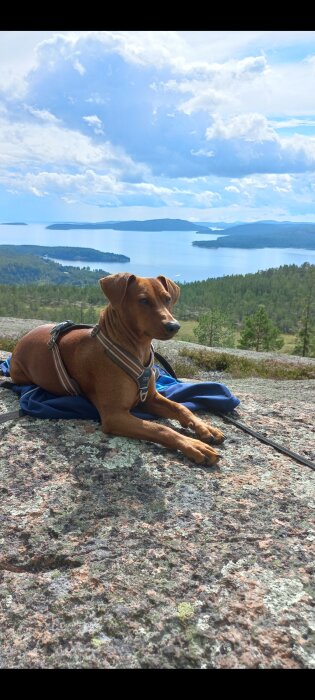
(206, 396)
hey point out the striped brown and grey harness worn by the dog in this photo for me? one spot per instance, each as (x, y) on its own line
(121, 357)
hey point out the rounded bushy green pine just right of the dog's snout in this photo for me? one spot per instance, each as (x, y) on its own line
(214, 329)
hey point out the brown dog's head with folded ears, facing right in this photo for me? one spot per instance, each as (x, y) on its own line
(144, 302)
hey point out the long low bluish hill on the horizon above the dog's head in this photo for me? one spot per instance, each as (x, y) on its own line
(148, 225)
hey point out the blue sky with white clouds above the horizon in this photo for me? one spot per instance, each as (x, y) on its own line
(200, 125)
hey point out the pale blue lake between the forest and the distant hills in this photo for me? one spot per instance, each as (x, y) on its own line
(168, 253)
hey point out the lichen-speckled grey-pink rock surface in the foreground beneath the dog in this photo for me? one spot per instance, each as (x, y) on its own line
(116, 553)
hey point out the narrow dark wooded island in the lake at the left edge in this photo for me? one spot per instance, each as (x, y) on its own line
(64, 253)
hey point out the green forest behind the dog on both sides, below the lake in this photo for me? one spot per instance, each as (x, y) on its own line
(284, 292)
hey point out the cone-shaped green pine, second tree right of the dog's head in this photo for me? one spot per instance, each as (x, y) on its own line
(259, 333)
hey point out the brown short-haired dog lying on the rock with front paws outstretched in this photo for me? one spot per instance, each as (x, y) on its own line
(139, 310)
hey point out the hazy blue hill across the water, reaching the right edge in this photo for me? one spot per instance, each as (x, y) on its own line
(263, 234)
